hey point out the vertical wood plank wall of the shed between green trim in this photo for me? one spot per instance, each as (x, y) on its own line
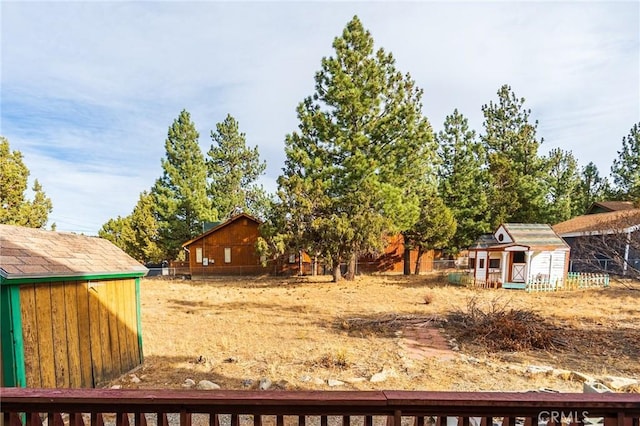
(79, 334)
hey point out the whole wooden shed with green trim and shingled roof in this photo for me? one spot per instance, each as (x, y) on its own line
(70, 309)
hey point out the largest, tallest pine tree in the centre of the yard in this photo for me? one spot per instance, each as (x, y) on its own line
(362, 149)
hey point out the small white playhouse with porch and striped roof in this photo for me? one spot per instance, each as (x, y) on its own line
(517, 253)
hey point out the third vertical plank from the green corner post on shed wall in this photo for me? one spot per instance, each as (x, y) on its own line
(60, 340)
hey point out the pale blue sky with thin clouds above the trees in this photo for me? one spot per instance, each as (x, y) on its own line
(89, 89)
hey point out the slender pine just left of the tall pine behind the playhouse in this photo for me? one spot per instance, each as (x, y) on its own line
(462, 181)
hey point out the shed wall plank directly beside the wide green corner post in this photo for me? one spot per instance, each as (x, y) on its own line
(30, 336)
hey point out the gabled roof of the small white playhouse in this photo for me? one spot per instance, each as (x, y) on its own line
(532, 235)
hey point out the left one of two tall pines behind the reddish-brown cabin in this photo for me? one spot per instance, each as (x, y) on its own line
(181, 193)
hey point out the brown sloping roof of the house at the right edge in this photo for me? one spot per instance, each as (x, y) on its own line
(600, 223)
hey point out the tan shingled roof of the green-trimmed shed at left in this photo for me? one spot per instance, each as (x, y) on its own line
(36, 253)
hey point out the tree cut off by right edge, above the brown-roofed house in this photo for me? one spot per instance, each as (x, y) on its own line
(625, 170)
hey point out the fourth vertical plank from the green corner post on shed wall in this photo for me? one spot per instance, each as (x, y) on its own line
(73, 334)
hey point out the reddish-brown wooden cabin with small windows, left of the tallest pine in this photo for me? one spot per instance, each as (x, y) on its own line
(228, 248)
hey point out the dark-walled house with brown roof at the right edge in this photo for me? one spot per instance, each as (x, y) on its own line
(607, 241)
